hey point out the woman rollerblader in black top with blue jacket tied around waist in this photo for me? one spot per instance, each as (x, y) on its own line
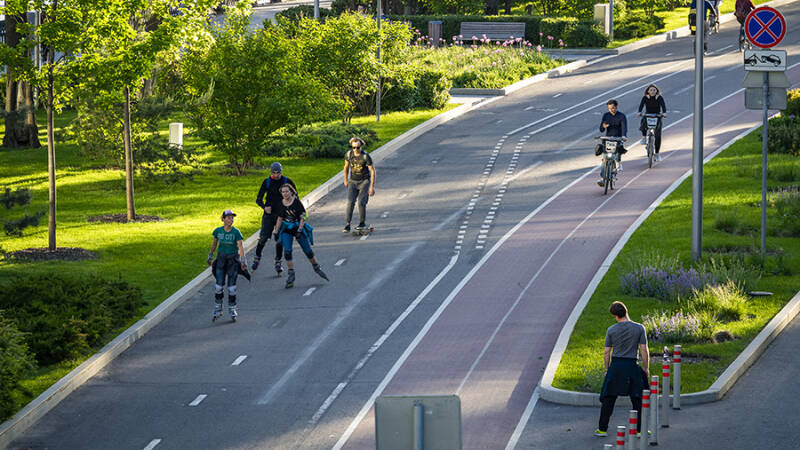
(291, 225)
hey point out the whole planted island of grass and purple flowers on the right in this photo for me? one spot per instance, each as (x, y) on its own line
(704, 307)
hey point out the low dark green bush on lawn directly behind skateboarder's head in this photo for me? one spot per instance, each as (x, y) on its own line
(321, 141)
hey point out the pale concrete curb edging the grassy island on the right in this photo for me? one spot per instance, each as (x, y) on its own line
(728, 378)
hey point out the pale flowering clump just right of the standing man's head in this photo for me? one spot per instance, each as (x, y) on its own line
(677, 328)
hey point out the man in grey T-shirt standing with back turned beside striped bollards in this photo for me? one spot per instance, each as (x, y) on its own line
(623, 374)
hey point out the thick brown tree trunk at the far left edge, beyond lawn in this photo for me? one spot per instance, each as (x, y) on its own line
(20, 119)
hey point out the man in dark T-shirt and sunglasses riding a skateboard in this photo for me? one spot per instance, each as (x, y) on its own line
(359, 179)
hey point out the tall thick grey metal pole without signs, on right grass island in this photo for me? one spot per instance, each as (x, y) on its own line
(697, 137)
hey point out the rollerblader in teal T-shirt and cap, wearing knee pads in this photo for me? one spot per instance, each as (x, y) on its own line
(229, 262)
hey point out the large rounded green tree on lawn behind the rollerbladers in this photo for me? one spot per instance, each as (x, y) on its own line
(244, 85)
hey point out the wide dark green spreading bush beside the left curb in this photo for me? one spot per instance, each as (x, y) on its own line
(64, 316)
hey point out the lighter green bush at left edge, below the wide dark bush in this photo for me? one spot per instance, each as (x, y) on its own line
(15, 362)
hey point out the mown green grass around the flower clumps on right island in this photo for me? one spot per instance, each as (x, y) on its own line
(668, 230)
